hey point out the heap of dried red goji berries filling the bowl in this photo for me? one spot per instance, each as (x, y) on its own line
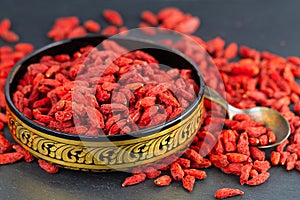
(103, 92)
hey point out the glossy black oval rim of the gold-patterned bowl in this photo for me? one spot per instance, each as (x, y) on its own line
(132, 135)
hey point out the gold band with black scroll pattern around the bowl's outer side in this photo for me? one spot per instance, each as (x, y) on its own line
(107, 155)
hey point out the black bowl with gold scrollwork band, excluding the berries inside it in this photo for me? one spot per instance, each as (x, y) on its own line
(105, 153)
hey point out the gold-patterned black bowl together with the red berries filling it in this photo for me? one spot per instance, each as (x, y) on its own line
(98, 136)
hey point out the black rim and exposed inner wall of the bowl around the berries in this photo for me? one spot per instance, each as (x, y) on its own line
(165, 55)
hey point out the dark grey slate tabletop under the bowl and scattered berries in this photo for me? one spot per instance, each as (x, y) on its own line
(264, 25)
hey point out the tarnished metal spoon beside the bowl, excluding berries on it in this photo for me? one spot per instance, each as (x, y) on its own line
(271, 118)
